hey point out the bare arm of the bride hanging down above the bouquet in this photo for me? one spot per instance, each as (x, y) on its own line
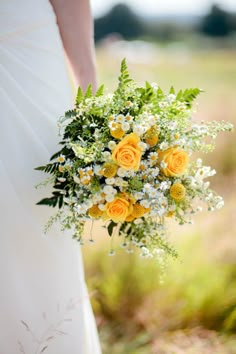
(76, 28)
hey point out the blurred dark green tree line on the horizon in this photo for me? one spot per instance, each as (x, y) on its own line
(122, 20)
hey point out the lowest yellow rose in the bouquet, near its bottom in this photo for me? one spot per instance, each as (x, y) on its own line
(118, 210)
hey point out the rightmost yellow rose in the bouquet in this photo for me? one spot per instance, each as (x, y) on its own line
(176, 160)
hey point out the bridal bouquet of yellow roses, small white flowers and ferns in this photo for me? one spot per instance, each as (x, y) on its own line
(126, 159)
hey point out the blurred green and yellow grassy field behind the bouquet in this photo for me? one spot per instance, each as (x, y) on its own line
(194, 310)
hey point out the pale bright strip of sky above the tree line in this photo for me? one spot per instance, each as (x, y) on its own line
(164, 7)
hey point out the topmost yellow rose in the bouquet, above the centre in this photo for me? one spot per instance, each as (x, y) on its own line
(127, 154)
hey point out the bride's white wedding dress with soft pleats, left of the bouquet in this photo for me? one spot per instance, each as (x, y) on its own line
(44, 304)
